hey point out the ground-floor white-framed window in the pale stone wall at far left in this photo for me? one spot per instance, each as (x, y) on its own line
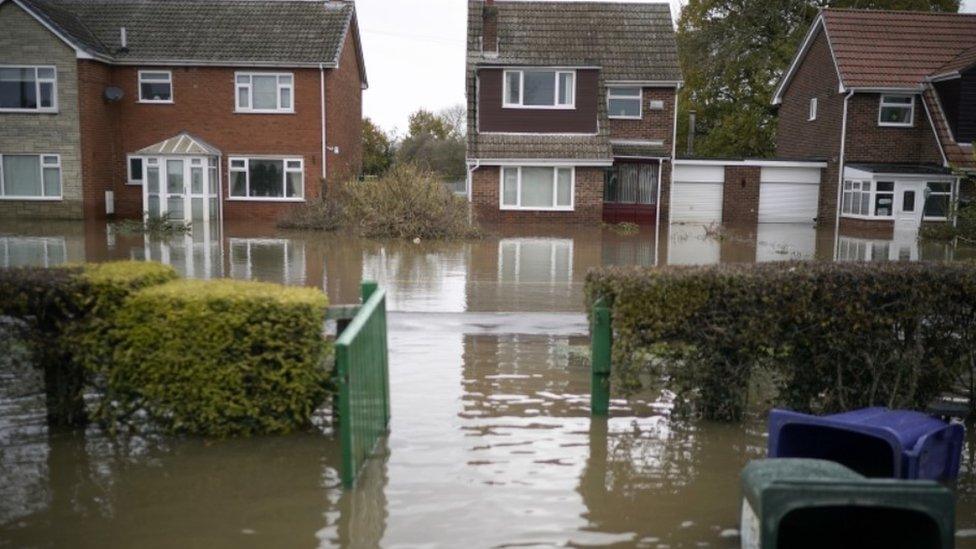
(30, 176)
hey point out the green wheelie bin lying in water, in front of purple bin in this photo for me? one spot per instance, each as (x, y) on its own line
(800, 503)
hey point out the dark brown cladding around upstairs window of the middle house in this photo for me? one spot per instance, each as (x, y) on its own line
(493, 118)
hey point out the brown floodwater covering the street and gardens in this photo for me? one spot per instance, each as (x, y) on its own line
(491, 442)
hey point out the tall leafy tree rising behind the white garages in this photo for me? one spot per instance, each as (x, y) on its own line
(733, 53)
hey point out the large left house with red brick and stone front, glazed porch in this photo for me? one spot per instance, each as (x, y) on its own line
(186, 108)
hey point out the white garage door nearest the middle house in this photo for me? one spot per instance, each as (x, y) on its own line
(696, 196)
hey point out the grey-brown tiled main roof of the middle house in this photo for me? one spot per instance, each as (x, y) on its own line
(629, 41)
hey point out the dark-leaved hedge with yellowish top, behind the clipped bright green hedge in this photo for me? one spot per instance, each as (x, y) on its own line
(62, 307)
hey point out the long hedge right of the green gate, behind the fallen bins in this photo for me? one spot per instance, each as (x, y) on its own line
(824, 336)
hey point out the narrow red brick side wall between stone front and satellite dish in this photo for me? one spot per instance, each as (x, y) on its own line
(99, 138)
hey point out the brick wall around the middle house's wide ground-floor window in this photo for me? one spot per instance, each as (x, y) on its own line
(588, 199)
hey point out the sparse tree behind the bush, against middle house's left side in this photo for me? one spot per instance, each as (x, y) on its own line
(436, 142)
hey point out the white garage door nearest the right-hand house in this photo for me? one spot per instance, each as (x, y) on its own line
(789, 195)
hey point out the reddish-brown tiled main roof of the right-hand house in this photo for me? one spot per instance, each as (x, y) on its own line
(896, 48)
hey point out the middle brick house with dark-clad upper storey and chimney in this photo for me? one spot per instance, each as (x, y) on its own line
(564, 128)
